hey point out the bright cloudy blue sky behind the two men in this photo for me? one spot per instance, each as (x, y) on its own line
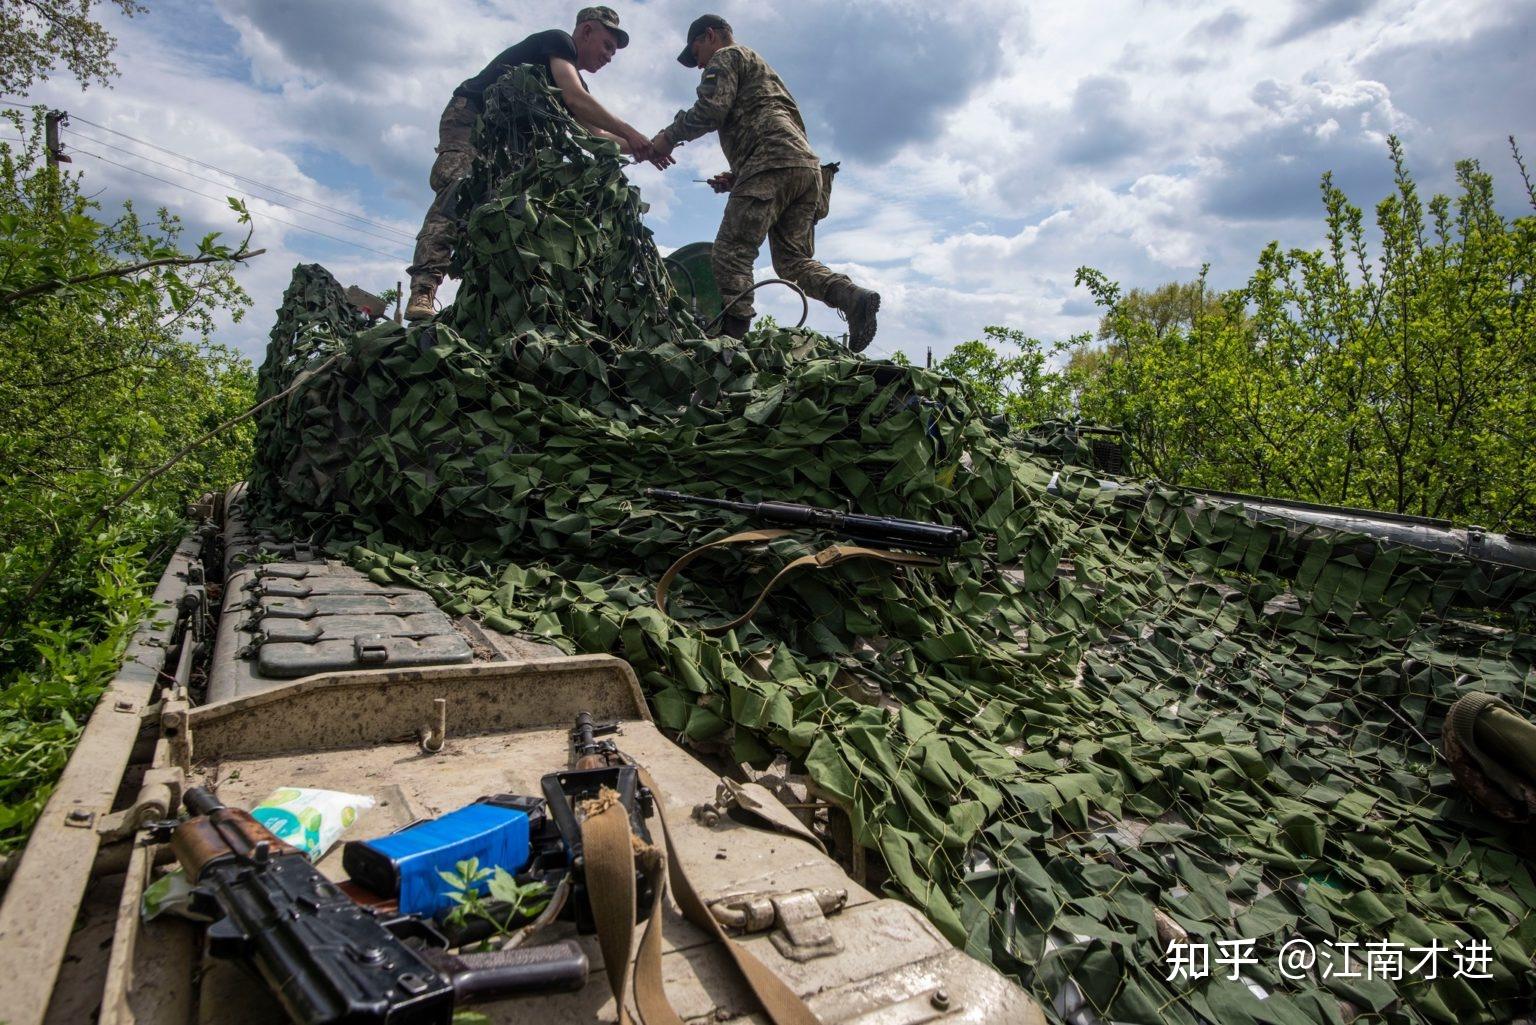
(988, 148)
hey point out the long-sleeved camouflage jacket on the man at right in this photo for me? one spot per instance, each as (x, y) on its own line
(746, 101)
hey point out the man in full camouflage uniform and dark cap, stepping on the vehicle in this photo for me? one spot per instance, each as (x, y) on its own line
(775, 181)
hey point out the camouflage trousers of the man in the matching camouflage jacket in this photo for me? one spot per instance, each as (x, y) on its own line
(780, 207)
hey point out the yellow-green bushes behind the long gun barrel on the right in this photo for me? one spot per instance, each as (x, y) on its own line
(1403, 382)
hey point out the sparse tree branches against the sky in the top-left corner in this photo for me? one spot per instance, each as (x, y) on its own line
(38, 35)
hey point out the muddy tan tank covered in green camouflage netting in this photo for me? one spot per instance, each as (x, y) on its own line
(1130, 754)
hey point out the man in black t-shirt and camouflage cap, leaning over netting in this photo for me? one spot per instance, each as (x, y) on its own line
(566, 55)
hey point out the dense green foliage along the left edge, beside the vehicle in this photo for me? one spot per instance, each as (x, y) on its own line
(107, 373)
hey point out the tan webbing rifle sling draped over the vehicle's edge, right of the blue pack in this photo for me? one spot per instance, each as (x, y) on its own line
(612, 860)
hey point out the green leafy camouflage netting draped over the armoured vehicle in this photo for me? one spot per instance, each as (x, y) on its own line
(1114, 720)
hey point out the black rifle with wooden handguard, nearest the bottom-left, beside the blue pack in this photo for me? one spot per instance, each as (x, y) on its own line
(325, 958)
